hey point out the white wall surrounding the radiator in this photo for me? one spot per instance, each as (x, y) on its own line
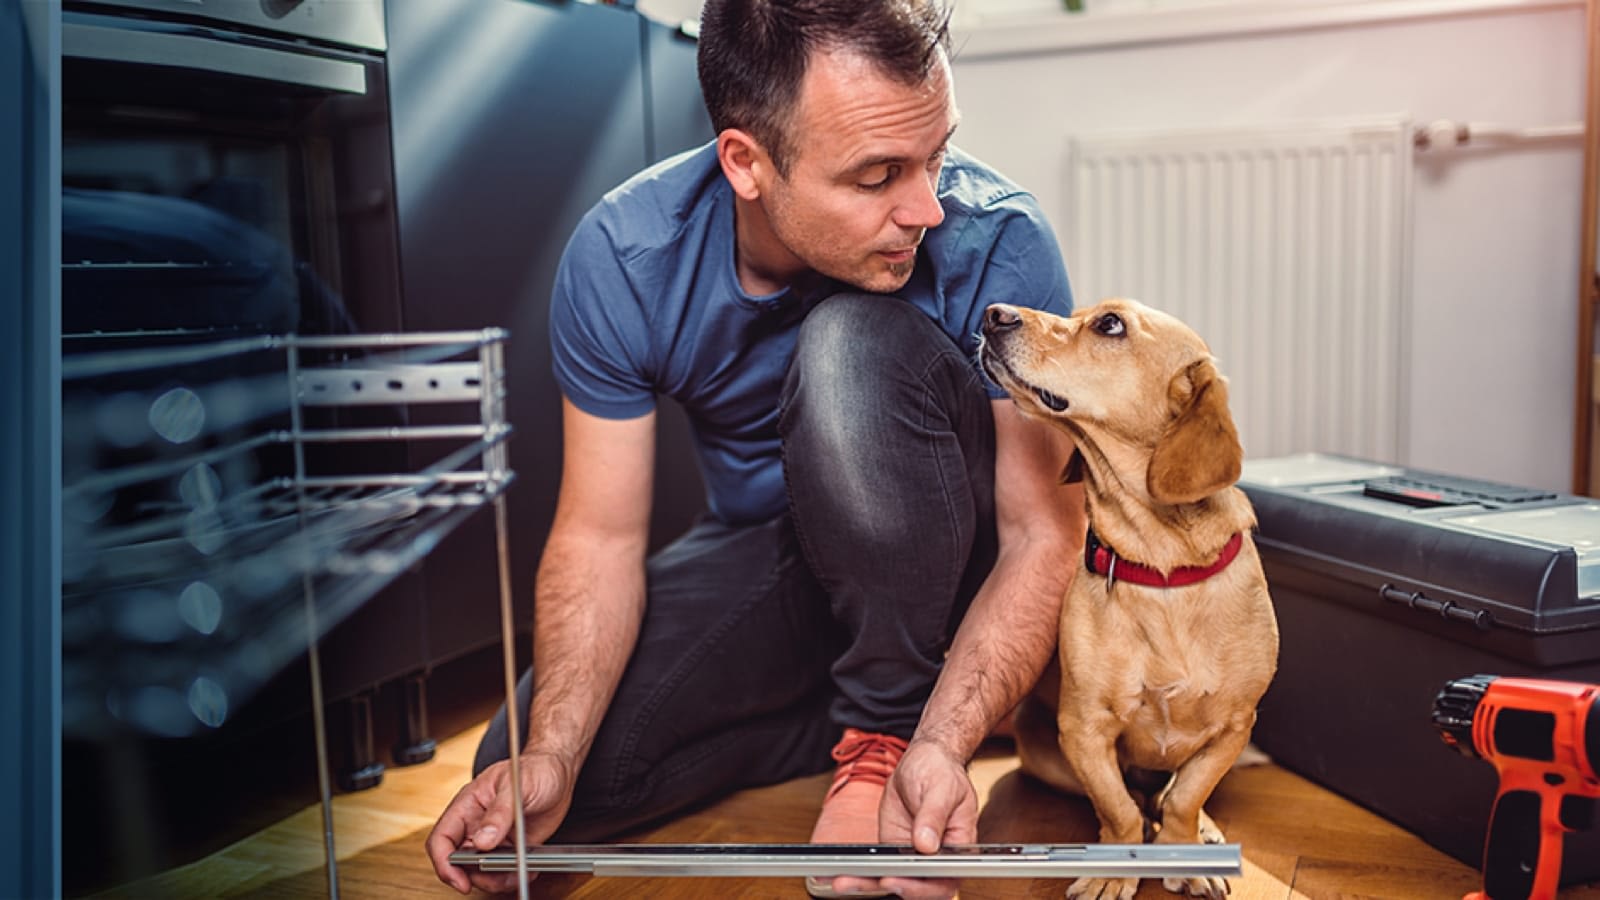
(1495, 233)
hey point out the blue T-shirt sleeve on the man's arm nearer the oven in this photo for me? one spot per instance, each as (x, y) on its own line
(599, 331)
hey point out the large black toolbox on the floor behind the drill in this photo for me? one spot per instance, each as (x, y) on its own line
(1390, 582)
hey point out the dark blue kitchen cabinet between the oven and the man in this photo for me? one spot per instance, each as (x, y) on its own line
(511, 119)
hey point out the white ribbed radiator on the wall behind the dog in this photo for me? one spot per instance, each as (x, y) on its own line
(1286, 247)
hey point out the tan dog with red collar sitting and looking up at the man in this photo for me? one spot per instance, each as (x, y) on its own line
(1169, 640)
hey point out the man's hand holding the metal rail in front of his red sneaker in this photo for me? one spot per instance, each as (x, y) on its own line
(929, 803)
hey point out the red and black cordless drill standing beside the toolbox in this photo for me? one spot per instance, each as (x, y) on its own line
(1543, 737)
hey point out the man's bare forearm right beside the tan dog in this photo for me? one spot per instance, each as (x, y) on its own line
(1002, 646)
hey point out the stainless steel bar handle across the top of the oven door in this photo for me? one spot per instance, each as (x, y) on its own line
(190, 52)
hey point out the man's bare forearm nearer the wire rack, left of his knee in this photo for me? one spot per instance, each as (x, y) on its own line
(588, 614)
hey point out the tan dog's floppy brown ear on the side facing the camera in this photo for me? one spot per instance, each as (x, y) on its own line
(1201, 454)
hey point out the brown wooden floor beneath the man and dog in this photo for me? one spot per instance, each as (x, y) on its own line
(1298, 842)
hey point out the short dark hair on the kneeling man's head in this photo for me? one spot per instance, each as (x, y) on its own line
(754, 55)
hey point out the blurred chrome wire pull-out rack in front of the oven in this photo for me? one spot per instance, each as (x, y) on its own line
(230, 502)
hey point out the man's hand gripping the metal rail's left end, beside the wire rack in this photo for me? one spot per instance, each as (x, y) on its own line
(482, 818)
